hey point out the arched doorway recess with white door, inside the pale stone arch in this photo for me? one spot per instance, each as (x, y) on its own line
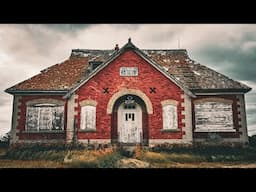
(129, 121)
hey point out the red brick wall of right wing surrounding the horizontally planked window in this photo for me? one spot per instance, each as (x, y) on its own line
(235, 118)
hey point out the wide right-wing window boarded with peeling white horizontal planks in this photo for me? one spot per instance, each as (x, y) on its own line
(214, 116)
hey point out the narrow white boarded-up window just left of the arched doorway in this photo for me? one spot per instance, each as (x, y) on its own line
(88, 117)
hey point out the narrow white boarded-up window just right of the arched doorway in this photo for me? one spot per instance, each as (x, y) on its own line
(170, 117)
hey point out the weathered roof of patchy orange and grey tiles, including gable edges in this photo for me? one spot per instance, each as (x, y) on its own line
(68, 76)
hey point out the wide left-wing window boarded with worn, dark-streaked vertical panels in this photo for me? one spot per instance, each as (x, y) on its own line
(45, 117)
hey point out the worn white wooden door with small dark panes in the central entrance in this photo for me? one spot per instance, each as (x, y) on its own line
(129, 124)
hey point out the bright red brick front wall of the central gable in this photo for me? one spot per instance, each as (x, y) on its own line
(148, 77)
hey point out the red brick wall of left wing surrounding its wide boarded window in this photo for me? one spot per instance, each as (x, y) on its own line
(22, 120)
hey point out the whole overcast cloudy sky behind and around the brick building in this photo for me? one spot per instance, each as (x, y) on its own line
(25, 49)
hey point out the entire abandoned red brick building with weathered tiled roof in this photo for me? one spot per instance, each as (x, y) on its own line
(129, 96)
